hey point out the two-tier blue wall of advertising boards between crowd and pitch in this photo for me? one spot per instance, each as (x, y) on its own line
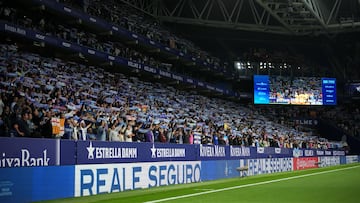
(45, 169)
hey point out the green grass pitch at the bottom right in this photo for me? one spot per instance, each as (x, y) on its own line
(333, 184)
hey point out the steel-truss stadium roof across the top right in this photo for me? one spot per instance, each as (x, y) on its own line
(289, 17)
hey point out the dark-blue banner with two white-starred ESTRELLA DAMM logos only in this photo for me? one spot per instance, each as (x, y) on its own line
(99, 152)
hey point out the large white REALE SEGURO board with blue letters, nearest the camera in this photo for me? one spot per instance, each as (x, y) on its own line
(108, 178)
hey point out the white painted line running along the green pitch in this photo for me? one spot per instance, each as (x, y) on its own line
(249, 185)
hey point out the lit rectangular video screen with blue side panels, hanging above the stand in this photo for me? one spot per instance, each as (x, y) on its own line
(294, 90)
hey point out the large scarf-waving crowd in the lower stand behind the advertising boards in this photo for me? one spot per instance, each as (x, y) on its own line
(44, 97)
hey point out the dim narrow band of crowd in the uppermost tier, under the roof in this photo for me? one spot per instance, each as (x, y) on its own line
(131, 19)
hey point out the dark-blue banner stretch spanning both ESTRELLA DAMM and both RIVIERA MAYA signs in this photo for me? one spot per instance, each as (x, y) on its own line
(91, 152)
